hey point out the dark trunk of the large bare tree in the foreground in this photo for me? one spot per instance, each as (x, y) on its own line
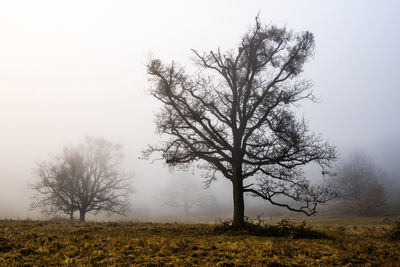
(238, 203)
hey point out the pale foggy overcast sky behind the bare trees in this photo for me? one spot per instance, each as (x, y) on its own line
(74, 68)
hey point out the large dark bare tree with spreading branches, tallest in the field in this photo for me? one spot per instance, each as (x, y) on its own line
(235, 116)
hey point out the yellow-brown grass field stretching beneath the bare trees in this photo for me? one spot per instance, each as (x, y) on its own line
(44, 243)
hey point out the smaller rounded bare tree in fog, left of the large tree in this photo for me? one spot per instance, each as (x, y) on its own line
(83, 178)
